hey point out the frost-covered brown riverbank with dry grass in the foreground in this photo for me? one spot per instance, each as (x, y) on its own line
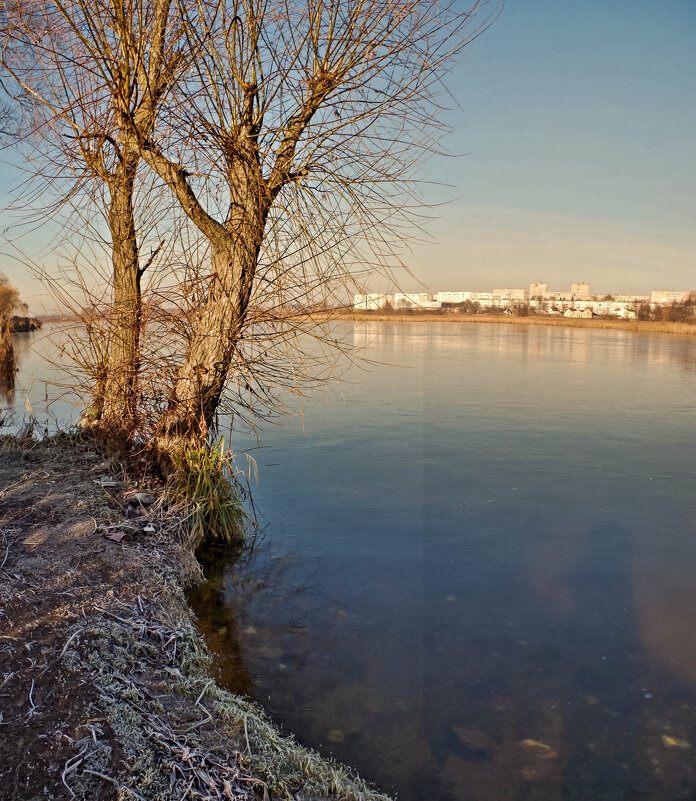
(107, 690)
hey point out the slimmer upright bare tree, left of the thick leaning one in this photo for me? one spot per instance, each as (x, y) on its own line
(81, 68)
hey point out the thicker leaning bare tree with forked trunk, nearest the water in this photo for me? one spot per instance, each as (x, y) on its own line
(314, 117)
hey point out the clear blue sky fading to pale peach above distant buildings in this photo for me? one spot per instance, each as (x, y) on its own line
(578, 121)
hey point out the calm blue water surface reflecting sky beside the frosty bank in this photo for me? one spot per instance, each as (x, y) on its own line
(478, 579)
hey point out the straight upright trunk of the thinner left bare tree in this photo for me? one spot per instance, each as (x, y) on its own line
(119, 410)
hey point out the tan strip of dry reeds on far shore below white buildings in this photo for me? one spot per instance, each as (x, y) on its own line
(642, 326)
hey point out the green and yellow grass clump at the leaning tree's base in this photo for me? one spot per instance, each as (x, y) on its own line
(205, 495)
